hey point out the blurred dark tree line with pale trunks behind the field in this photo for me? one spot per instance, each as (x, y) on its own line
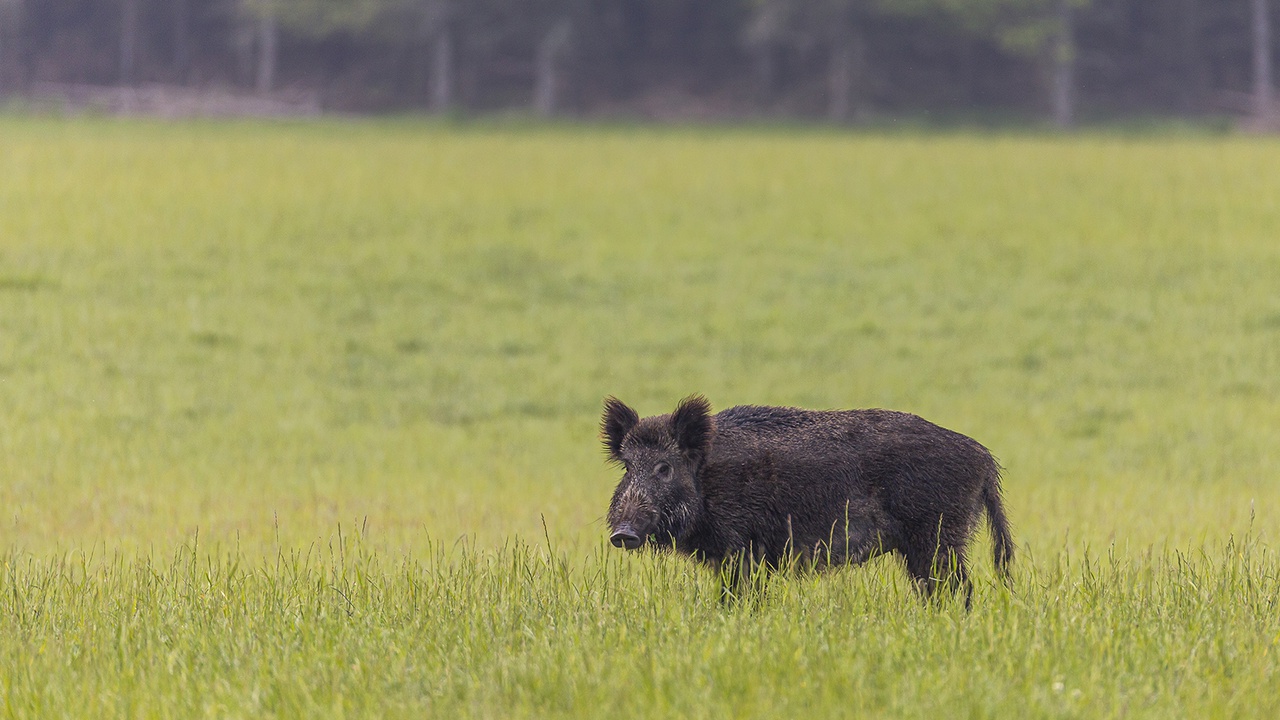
(842, 60)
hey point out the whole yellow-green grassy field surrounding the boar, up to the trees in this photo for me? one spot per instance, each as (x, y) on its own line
(301, 420)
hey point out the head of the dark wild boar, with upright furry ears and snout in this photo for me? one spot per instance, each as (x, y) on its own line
(659, 499)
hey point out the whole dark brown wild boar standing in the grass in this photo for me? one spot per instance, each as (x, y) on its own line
(769, 486)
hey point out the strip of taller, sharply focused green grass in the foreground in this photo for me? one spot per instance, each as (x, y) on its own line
(522, 632)
